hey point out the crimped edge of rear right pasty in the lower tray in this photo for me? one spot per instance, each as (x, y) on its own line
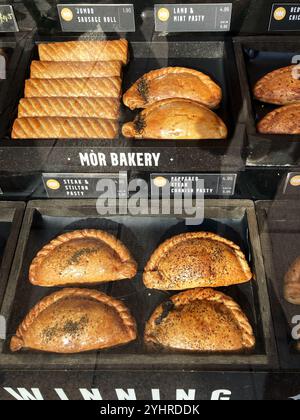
(165, 247)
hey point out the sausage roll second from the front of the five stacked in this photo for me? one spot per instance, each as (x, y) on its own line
(107, 108)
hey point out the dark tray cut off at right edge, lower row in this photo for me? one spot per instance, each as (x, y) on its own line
(279, 227)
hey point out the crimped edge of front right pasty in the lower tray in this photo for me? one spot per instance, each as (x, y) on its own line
(211, 295)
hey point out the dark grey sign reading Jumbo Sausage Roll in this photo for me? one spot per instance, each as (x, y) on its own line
(96, 17)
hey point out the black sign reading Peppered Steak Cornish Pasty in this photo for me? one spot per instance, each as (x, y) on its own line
(188, 184)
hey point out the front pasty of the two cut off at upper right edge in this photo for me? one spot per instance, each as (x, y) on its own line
(284, 120)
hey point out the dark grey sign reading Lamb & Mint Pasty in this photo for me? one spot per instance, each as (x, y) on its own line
(193, 17)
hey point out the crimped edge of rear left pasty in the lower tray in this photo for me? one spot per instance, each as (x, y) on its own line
(105, 237)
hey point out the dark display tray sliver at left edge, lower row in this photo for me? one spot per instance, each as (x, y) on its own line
(11, 216)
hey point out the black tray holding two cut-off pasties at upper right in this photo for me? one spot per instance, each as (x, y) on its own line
(256, 56)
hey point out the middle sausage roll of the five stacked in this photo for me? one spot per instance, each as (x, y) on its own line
(91, 87)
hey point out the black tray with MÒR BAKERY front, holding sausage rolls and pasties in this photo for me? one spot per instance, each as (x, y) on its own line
(214, 56)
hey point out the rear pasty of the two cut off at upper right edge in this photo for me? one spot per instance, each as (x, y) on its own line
(280, 87)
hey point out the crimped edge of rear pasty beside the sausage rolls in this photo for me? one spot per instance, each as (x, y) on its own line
(169, 70)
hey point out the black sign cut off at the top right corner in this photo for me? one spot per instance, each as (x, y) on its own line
(285, 17)
